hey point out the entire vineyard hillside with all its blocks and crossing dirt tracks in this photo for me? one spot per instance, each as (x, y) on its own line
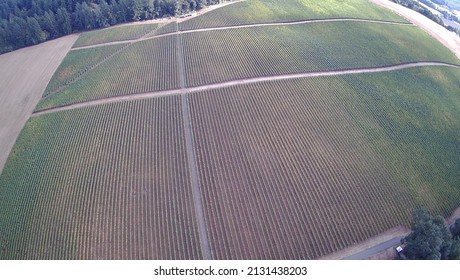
(196, 168)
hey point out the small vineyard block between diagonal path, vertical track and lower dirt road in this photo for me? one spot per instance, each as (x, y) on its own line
(144, 66)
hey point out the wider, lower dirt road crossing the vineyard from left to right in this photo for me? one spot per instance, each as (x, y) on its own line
(145, 95)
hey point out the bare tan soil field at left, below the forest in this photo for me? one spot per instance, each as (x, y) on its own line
(24, 76)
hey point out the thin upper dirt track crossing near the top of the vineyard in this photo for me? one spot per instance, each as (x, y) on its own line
(245, 26)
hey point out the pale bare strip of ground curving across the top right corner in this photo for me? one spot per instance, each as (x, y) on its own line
(447, 38)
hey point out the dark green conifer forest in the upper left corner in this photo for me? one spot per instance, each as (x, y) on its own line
(29, 22)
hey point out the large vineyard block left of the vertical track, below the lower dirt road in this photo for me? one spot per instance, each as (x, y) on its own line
(126, 160)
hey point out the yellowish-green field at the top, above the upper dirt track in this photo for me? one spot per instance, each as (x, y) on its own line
(265, 11)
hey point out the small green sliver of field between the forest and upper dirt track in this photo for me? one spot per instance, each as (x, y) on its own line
(113, 34)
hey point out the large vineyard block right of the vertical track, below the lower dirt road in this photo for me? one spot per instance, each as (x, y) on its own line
(302, 168)
